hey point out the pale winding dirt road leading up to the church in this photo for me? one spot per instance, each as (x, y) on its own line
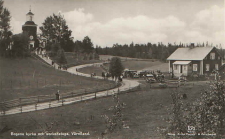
(126, 86)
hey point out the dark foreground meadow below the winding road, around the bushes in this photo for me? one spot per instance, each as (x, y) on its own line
(143, 113)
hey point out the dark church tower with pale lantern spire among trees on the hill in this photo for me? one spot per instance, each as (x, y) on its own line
(30, 28)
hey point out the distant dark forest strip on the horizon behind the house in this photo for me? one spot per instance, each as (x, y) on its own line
(145, 51)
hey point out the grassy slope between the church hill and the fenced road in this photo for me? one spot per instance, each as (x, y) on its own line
(29, 77)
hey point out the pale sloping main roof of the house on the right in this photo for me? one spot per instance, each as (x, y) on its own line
(196, 53)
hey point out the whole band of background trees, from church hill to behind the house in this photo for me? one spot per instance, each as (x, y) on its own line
(58, 35)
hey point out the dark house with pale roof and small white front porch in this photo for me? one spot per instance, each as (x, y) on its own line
(194, 60)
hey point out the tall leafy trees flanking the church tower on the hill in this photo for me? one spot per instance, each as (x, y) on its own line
(54, 29)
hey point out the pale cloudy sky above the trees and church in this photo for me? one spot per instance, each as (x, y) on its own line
(108, 22)
